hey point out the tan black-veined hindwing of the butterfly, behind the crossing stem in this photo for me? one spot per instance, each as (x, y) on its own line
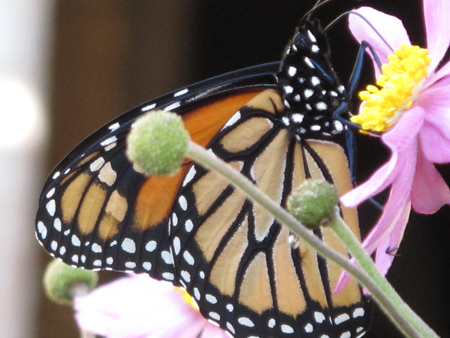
(247, 272)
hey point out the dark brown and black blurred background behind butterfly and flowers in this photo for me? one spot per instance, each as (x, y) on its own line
(110, 55)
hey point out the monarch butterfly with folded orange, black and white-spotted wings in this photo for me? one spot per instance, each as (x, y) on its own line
(277, 124)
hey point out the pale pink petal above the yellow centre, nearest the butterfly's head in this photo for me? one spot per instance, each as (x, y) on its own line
(389, 27)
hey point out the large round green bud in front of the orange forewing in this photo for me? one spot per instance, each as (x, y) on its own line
(157, 143)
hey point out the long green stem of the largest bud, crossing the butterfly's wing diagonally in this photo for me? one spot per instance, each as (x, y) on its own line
(211, 162)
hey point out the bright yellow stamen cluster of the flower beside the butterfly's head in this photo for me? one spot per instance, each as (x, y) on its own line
(396, 89)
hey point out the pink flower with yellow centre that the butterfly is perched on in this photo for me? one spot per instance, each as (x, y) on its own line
(418, 132)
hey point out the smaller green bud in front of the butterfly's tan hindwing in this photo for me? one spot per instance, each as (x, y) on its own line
(313, 202)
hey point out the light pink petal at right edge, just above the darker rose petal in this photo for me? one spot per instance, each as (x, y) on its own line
(435, 145)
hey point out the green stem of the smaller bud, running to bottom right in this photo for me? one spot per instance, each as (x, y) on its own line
(399, 312)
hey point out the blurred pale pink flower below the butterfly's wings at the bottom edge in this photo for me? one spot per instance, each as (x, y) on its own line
(140, 307)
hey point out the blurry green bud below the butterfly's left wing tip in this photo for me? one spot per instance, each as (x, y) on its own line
(61, 279)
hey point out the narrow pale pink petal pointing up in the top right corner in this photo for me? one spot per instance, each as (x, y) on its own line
(436, 14)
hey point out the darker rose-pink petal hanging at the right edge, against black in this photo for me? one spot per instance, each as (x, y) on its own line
(429, 191)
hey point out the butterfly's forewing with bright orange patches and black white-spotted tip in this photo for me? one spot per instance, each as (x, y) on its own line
(97, 212)
